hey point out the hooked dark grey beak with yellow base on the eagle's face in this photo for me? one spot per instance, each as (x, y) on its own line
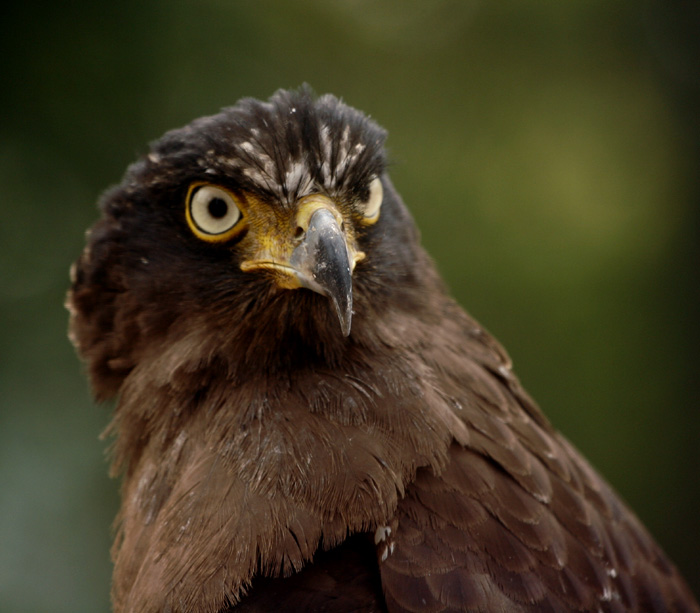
(321, 260)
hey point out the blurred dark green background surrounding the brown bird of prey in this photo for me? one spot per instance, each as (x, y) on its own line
(548, 150)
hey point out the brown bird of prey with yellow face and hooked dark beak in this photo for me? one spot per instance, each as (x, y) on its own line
(305, 420)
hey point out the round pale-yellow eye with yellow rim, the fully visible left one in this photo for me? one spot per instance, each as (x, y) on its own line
(212, 213)
